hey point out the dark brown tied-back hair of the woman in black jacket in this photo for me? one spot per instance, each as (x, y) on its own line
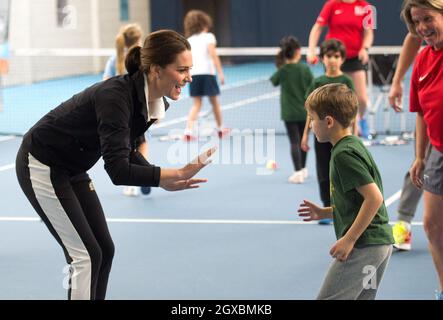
(160, 48)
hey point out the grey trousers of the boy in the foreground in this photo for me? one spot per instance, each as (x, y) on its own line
(359, 276)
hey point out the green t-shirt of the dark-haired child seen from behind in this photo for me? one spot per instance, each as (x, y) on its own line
(294, 79)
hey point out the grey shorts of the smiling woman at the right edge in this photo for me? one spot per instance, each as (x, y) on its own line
(433, 174)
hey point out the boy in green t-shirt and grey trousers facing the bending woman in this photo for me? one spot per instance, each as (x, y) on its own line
(364, 237)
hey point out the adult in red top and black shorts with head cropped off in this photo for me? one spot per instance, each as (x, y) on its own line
(351, 22)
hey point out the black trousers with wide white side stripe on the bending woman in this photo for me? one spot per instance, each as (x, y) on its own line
(70, 208)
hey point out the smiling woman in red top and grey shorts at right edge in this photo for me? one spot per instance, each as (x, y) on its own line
(425, 19)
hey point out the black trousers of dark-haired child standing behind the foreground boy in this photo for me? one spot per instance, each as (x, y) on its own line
(322, 158)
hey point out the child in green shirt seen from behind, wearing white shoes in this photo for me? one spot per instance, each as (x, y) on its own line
(295, 78)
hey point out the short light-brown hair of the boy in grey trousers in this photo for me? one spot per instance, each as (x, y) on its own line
(335, 100)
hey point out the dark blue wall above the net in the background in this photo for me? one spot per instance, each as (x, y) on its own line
(242, 23)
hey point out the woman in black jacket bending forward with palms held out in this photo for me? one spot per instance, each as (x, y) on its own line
(103, 120)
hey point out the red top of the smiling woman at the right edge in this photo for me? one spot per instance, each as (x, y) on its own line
(426, 93)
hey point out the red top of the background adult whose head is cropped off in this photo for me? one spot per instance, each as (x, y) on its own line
(346, 22)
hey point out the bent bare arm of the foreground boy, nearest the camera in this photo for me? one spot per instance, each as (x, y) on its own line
(373, 199)
